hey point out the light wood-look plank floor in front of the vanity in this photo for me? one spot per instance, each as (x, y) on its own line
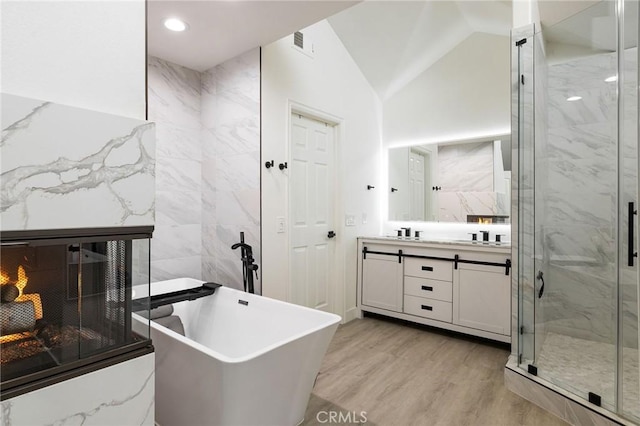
(403, 375)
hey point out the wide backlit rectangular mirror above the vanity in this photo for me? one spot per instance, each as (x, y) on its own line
(456, 181)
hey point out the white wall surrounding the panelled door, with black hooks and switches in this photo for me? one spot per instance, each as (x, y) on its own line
(330, 82)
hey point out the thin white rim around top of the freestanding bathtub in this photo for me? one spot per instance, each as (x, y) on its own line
(331, 319)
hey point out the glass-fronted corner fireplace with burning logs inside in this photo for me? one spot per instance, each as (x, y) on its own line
(66, 305)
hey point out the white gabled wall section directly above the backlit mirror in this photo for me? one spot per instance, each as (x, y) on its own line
(465, 94)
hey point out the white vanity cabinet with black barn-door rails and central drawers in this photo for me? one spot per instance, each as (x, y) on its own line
(462, 287)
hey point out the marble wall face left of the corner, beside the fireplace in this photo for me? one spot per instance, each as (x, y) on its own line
(174, 104)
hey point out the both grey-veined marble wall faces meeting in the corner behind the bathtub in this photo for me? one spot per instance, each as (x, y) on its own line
(208, 186)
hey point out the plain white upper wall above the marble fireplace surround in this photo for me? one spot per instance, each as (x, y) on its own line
(88, 54)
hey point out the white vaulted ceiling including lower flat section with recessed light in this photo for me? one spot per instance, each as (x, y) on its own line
(392, 41)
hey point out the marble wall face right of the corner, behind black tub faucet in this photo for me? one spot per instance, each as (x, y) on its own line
(231, 166)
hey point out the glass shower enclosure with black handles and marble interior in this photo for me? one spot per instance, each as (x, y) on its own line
(576, 119)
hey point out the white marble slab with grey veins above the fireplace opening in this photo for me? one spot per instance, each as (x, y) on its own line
(106, 165)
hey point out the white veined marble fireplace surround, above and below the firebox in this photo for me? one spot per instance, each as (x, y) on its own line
(70, 170)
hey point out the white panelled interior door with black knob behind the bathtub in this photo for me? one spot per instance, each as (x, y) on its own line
(311, 213)
